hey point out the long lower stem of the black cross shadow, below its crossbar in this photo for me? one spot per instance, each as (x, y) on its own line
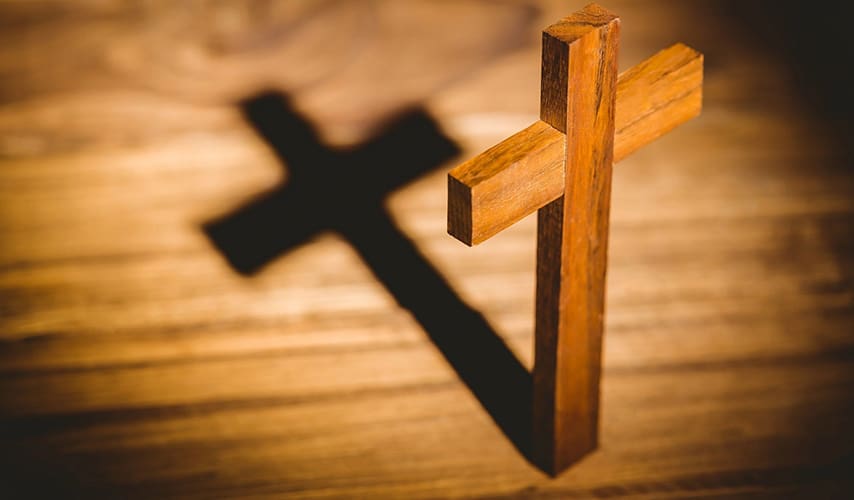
(472, 347)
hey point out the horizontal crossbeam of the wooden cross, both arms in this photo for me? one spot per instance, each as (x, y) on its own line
(524, 172)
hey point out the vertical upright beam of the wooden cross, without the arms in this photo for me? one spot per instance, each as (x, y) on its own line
(572, 237)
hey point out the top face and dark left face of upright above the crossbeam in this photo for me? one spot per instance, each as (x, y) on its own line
(557, 39)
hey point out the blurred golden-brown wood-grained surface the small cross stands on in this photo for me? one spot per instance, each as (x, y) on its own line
(135, 361)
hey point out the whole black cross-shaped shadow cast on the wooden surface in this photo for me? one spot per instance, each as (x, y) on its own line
(344, 191)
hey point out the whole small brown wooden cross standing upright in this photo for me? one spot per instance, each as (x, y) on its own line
(561, 167)
